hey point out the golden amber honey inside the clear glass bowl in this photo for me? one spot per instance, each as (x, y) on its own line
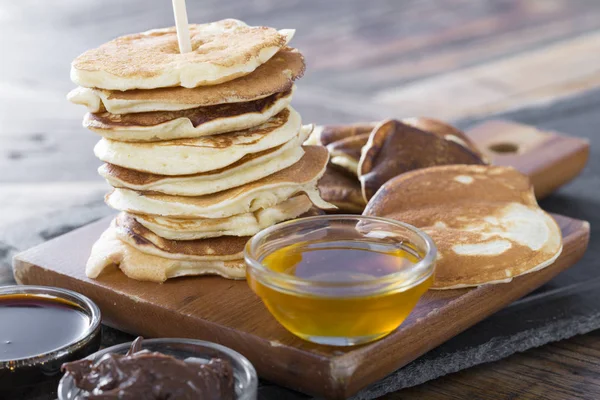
(353, 291)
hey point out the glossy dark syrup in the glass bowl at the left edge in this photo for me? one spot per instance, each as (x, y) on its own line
(38, 334)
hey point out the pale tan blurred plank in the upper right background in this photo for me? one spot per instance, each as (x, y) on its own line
(539, 76)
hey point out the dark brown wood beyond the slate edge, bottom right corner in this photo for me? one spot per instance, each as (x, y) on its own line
(558, 371)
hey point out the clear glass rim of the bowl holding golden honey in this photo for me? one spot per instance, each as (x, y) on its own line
(421, 271)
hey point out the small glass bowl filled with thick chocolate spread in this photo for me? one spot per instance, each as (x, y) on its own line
(158, 369)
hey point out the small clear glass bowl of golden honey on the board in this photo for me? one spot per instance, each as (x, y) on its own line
(341, 313)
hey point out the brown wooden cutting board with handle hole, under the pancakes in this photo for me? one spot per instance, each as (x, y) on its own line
(227, 312)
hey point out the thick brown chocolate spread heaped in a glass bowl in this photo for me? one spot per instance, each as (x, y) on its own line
(145, 375)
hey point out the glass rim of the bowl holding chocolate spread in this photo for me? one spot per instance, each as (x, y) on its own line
(248, 370)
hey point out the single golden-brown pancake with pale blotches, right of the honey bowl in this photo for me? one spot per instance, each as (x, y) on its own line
(485, 221)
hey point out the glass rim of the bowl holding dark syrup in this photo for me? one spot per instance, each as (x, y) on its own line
(90, 308)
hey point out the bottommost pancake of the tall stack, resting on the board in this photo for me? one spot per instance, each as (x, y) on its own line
(109, 250)
